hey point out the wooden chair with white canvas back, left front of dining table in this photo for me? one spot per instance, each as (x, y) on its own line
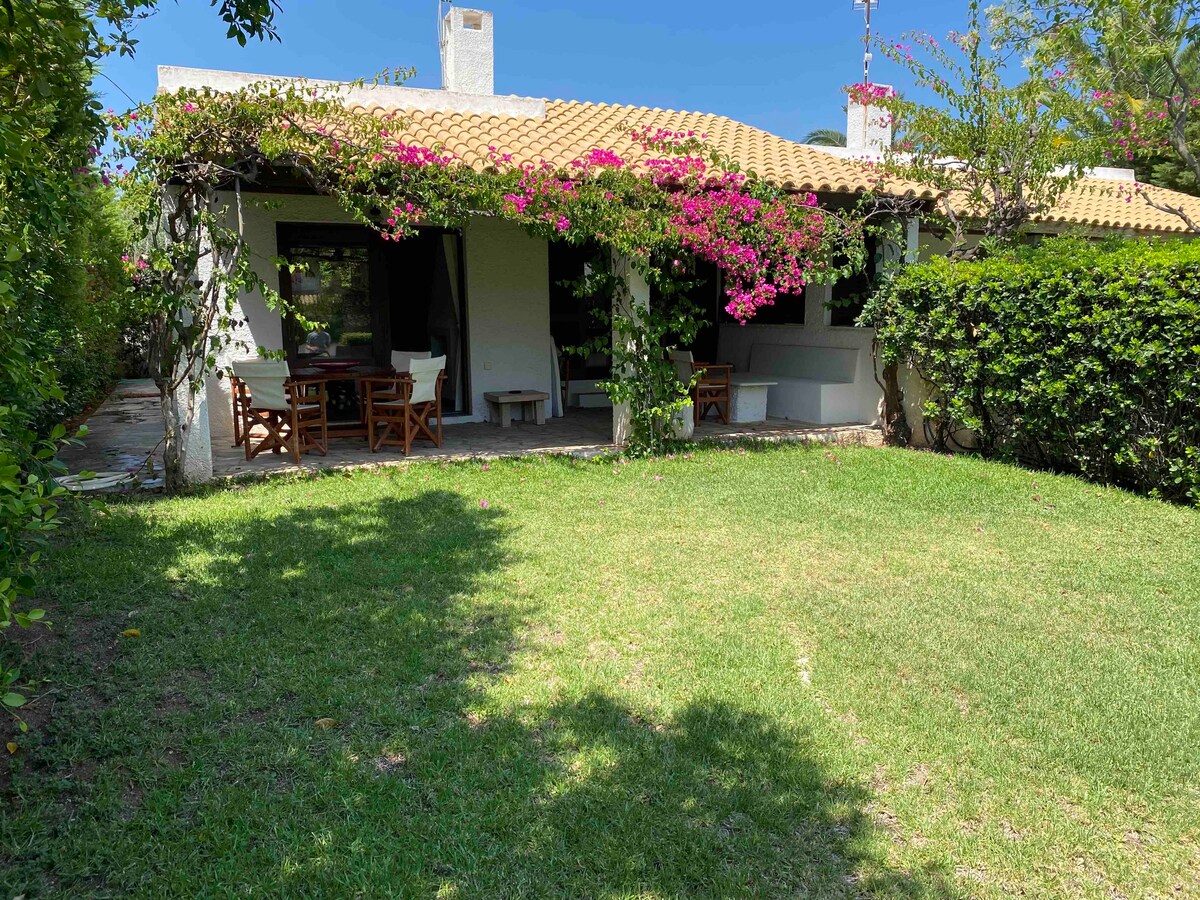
(292, 416)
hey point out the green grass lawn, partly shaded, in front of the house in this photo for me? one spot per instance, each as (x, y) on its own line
(783, 674)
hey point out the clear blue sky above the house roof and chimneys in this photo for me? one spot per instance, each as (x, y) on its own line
(779, 67)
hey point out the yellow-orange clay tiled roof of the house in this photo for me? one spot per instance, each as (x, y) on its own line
(571, 129)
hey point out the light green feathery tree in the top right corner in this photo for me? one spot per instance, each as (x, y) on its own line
(1131, 73)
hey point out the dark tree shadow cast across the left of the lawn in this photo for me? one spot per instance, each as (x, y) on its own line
(394, 619)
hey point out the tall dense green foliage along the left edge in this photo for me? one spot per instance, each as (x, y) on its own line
(58, 253)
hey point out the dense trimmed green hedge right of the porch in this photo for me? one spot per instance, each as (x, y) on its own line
(1072, 356)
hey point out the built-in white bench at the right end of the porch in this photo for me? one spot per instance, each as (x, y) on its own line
(814, 385)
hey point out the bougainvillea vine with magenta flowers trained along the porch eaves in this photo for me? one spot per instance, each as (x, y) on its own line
(680, 205)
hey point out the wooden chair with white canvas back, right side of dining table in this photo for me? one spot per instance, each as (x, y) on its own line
(401, 410)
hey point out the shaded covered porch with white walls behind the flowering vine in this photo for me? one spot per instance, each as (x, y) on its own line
(497, 305)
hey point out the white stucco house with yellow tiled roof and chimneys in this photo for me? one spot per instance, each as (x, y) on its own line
(488, 296)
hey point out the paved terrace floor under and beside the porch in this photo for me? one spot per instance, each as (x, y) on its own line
(127, 430)
